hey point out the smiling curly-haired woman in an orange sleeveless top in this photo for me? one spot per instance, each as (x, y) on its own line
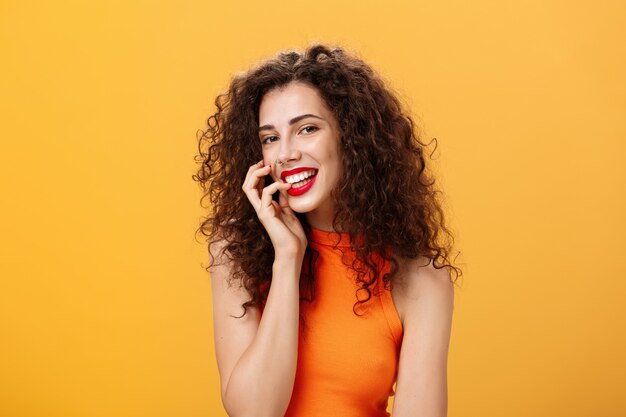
(326, 221)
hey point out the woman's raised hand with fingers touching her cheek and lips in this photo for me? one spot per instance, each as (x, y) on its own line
(282, 225)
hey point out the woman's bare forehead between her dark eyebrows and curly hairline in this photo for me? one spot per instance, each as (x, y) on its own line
(289, 101)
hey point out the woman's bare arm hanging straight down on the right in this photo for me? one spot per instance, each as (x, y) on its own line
(422, 388)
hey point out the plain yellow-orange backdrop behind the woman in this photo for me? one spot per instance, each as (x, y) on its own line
(105, 307)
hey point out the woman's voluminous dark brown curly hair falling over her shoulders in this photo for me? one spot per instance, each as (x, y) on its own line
(392, 210)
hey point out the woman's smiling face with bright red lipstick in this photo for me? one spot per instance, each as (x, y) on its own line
(297, 128)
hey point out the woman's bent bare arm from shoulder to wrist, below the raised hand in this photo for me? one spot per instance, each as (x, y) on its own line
(256, 355)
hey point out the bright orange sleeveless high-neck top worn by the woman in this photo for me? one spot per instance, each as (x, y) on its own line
(347, 364)
